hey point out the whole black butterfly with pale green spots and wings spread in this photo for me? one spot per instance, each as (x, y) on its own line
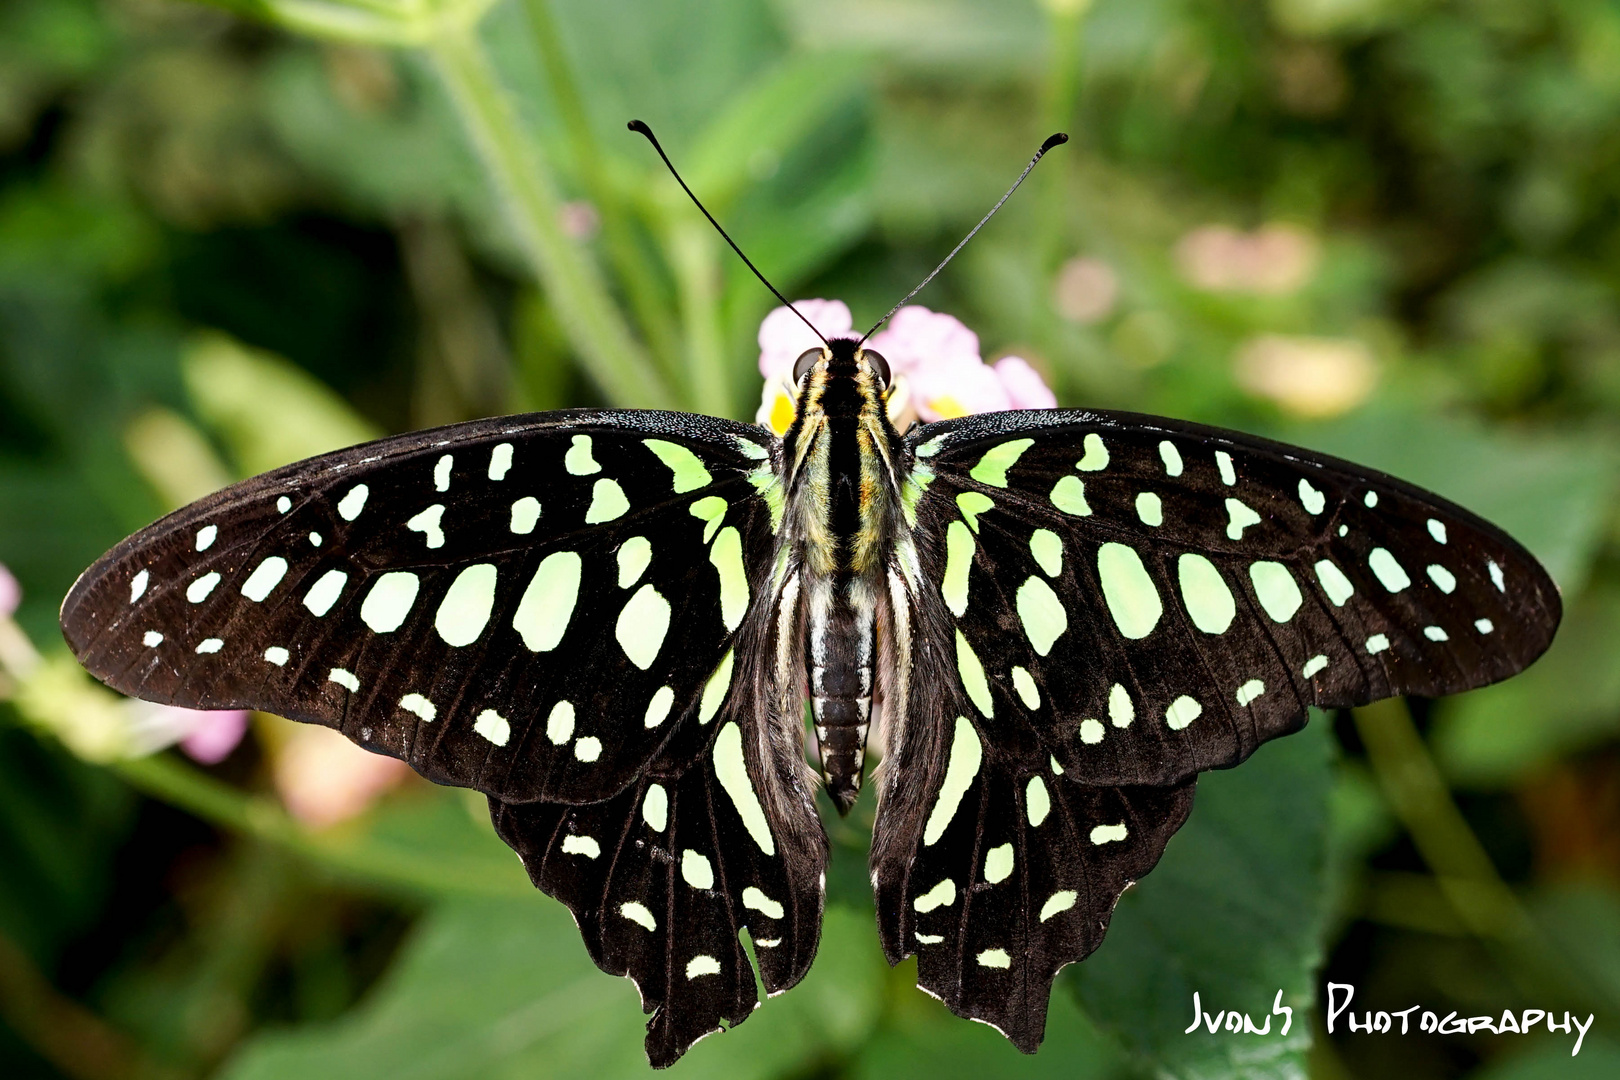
(613, 623)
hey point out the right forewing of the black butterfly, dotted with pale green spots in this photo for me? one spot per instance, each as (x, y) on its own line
(1161, 598)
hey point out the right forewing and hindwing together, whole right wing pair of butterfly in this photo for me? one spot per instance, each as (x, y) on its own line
(1062, 679)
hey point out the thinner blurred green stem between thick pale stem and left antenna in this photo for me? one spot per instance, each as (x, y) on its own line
(629, 260)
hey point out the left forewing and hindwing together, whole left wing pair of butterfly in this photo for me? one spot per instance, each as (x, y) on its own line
(553, 611)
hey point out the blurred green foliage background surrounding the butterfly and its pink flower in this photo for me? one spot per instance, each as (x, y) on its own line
(237, 236)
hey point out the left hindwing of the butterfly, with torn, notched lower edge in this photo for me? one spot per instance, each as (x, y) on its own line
(663, 878)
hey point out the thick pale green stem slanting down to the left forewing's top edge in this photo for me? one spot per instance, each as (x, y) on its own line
(595, 326)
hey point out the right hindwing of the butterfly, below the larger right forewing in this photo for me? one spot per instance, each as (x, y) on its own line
(989, 862)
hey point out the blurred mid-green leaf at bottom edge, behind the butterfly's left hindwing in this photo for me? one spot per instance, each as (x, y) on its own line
(497, 990)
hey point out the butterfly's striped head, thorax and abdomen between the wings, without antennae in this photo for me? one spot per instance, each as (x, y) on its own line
(843, 517)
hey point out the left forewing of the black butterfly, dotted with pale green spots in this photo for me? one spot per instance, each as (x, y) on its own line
(526, 606)
